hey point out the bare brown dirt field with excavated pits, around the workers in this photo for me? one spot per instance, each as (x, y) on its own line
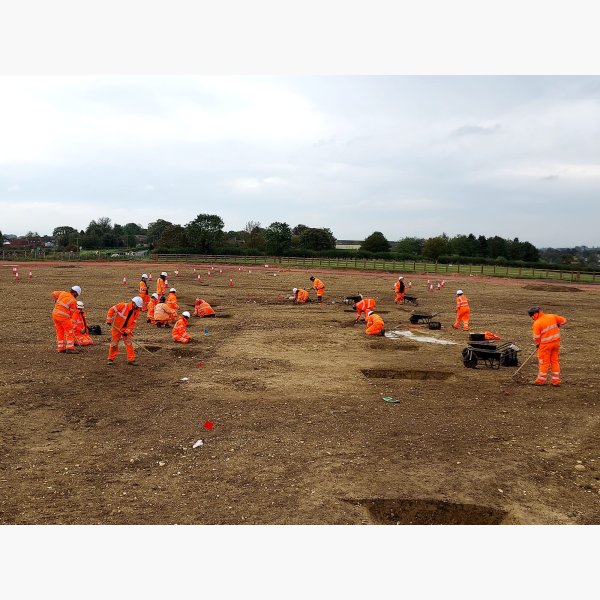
(301, 432)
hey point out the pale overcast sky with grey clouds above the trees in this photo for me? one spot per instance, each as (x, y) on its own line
(514, 156)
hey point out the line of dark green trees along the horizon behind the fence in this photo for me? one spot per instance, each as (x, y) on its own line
(205, 235)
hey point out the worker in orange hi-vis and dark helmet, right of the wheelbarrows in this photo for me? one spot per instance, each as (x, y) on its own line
(546, 337)
